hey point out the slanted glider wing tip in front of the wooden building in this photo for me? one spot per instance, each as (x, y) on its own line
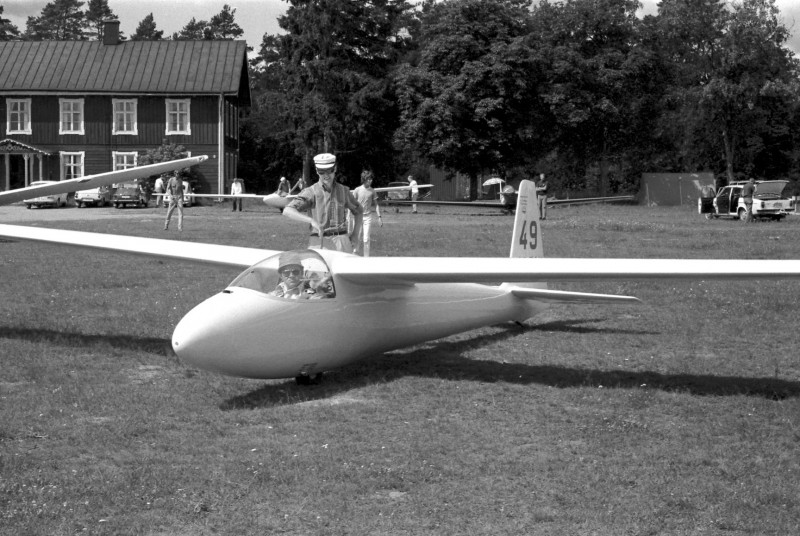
(102, 179)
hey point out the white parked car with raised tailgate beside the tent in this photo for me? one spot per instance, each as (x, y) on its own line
(769, 201)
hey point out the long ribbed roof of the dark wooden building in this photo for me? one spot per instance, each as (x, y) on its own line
(133, 67)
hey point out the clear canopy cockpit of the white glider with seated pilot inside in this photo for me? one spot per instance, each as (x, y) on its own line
(291, 275)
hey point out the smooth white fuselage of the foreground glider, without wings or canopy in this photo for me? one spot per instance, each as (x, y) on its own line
(244, 332)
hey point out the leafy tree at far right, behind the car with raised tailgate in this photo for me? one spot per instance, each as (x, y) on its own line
(736, 82)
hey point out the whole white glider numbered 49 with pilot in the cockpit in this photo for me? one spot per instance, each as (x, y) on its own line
(347, 308)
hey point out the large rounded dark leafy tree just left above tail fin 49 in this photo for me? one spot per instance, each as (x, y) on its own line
(471, 102)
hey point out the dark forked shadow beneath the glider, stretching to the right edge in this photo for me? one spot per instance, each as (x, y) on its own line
(445, 360)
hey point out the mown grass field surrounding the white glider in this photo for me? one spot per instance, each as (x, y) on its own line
(678, 416)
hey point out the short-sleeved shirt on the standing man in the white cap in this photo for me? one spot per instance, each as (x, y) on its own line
(327, 208)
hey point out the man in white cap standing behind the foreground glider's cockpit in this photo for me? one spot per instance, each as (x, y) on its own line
(328, 202)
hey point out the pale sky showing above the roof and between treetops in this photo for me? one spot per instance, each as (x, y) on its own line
(257, 17)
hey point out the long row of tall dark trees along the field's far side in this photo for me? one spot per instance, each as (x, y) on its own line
(582, 90)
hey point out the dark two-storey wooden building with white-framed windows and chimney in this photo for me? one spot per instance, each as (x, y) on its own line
(74, 108)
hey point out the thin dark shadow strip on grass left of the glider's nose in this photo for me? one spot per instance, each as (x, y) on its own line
(80, 340)
